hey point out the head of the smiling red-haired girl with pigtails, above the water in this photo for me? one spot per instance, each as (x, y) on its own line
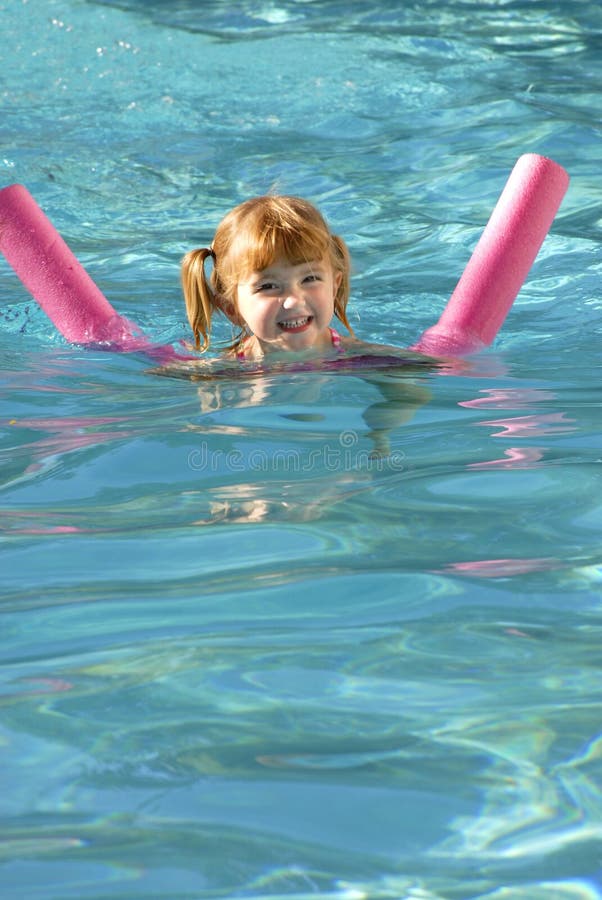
(279, 275)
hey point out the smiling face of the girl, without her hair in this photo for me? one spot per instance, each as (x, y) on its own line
(289, 306)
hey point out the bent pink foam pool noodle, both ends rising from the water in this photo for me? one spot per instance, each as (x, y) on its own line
(470, 321)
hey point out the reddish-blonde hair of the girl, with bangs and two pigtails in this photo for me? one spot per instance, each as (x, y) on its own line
(249, 239)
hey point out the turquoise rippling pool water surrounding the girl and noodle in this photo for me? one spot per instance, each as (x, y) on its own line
(239, 657)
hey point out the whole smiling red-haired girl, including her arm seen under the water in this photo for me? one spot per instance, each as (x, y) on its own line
(280, 276)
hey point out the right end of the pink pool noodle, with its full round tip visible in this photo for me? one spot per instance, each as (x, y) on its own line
(501, 260)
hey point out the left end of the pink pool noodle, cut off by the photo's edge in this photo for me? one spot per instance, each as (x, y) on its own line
(52, 274)
